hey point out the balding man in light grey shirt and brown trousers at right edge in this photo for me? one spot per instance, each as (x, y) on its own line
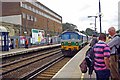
(115, 41)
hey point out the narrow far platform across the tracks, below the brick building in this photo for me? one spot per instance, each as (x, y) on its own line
(14, 52)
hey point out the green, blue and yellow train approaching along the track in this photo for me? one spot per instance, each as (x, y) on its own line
(72, 42)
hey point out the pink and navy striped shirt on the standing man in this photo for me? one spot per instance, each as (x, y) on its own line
(101, 50)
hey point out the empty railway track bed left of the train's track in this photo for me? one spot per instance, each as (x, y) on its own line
(26, 67)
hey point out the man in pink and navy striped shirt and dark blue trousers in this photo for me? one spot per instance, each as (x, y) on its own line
(101, 58)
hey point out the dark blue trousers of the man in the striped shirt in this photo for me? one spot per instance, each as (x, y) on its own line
(102, 74)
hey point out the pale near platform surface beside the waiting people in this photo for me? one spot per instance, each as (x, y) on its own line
(71, 69)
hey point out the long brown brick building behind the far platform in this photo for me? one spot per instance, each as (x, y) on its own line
(29, 15)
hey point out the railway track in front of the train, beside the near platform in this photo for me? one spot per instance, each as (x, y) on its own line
(49, 72)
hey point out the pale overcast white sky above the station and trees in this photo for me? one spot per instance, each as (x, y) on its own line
(77, 12)
